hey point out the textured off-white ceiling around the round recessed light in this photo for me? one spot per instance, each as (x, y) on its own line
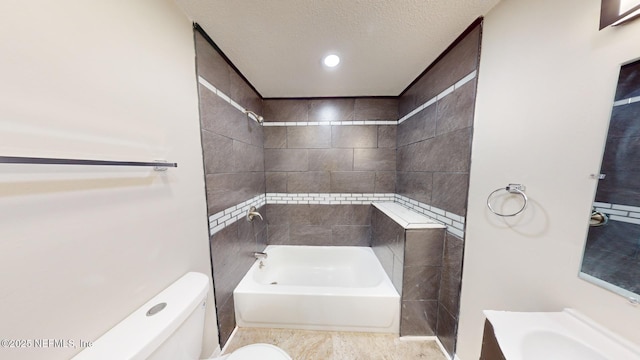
(278, 45)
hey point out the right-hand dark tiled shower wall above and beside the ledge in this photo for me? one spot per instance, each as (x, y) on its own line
(434, 153)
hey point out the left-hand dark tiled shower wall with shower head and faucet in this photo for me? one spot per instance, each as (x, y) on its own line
(233, 152)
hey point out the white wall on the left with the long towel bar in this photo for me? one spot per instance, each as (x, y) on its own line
(81, 248)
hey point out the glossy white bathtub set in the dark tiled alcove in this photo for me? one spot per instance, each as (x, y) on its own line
(337, 288)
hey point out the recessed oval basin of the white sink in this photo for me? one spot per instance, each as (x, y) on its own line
(551, 345)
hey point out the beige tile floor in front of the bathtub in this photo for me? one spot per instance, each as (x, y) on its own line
(329, 345)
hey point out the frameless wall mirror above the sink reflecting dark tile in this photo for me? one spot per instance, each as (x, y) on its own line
(612, 250)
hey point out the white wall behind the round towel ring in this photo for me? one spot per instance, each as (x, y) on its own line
(546, 85)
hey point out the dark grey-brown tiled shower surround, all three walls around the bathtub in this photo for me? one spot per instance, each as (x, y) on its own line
(353, 150)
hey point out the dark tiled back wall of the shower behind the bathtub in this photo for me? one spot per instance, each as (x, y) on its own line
(320, 146)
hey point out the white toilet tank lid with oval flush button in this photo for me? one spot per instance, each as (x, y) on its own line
(139, 335)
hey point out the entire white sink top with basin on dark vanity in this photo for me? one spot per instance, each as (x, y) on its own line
(564, 335)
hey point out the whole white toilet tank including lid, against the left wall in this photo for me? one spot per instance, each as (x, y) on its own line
(158, 332)
